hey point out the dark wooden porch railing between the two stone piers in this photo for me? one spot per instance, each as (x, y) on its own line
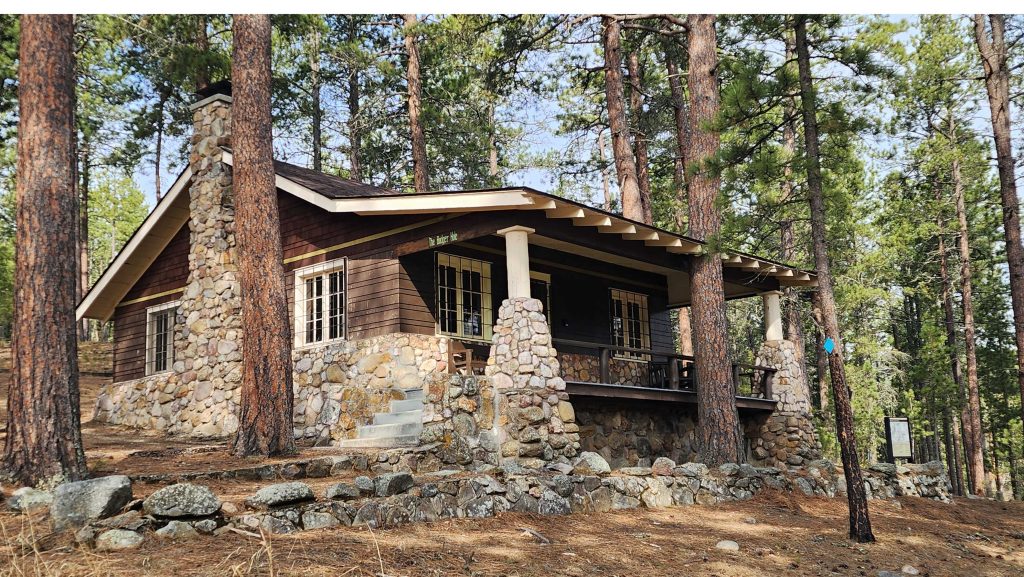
(672, 370)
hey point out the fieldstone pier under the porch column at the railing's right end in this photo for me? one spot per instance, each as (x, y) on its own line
(787, 438)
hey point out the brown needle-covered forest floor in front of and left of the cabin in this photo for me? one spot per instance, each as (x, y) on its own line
(779, 534)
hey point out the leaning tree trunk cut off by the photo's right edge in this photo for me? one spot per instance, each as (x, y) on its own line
(994, 58)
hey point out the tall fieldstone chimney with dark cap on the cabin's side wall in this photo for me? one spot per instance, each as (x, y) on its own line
(208, 336)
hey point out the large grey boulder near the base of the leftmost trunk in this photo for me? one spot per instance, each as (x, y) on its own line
(79, 503)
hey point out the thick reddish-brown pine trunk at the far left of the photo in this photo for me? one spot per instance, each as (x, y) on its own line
(45, 439)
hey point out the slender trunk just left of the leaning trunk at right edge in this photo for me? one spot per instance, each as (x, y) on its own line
(972, 413)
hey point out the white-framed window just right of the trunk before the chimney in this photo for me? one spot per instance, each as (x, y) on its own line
(320, 303)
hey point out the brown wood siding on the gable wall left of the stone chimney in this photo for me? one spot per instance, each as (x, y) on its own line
(169, 272)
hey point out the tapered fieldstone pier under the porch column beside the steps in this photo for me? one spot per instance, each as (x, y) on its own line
(536, 421)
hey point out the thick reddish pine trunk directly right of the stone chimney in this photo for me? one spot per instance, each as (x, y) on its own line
(266, 416)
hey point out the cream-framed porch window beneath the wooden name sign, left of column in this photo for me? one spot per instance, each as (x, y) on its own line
(463, 288)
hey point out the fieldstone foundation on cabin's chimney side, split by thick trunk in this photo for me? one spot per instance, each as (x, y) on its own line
(338, 388)
